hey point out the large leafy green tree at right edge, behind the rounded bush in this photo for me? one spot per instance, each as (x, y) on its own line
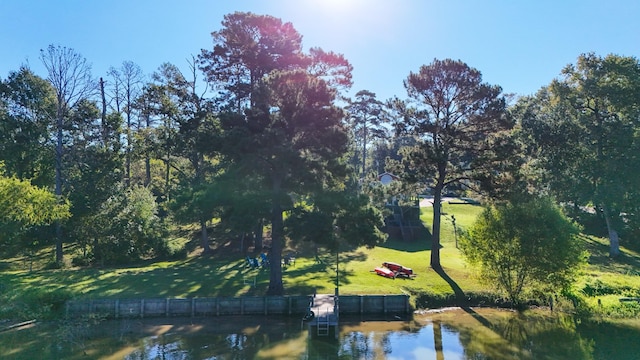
(581, 133)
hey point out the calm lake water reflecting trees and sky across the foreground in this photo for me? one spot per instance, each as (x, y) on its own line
(447, 334)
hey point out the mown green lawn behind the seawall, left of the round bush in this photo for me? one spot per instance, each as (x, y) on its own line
(228, 275)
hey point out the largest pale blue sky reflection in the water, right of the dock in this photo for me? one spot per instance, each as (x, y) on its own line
(421, 345)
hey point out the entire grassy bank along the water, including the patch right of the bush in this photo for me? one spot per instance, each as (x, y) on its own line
(225, 273)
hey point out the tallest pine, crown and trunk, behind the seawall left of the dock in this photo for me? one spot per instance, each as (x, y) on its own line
(282, 127)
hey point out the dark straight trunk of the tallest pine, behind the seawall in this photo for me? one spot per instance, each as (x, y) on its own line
(277, 237)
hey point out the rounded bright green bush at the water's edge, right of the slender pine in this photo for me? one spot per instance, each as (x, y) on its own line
(524, 244)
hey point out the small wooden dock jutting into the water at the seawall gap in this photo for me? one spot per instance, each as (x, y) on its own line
(326, 315)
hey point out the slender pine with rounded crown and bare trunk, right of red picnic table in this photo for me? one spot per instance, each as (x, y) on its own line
(457, 120)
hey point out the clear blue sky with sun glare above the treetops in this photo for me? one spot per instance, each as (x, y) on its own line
(517, 44)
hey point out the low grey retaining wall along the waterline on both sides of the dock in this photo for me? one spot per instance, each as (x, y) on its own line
(220, 306)
